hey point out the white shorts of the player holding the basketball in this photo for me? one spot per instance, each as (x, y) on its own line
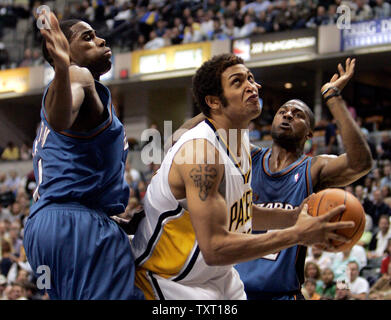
(227, 287)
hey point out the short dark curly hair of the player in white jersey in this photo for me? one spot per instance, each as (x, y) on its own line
(207, 80)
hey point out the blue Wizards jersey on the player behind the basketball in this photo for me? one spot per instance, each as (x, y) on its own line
(280, 273)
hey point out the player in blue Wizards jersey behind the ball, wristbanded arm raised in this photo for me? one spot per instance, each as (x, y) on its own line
(283, 177)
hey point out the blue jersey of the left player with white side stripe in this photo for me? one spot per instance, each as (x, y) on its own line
(86, 168)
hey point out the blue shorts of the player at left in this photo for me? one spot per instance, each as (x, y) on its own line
(88, 255)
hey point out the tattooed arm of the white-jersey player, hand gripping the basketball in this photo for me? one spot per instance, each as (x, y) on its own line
(208, 212)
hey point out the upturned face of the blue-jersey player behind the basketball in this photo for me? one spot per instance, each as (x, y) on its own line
(291, 122)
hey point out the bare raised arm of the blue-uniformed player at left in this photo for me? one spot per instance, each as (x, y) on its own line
(67, 90)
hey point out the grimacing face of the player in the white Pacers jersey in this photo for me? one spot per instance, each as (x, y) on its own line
(241, 93)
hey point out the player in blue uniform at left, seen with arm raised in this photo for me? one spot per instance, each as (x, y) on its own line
(79, 160)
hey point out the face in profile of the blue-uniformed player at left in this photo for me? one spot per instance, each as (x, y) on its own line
(88, 50)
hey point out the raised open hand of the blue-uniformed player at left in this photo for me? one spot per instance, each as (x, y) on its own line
(56, 42)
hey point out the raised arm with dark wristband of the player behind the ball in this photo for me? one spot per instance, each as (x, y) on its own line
(330, 171)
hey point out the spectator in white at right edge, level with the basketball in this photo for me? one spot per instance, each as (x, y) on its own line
(379, 241)
